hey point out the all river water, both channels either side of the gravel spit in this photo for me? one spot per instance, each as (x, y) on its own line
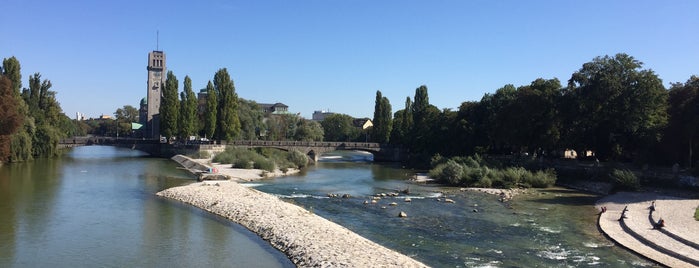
(96, 206)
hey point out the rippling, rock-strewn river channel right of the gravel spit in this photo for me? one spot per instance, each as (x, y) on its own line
(544, 228)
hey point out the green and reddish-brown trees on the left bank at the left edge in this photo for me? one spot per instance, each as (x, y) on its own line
(31, 119)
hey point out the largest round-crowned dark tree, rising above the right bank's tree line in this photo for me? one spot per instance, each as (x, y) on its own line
(616, 108)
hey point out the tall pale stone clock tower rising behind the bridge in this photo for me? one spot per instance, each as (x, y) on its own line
(156, 79)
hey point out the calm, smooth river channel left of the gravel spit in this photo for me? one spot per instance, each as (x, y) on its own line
(95, 207)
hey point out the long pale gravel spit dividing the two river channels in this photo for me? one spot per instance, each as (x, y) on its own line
(307, 239)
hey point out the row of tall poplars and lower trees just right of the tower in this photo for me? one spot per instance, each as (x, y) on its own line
(224, 116)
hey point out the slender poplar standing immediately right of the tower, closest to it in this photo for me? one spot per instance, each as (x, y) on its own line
(169, 107)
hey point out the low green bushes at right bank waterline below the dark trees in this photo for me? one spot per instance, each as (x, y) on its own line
(475, 172)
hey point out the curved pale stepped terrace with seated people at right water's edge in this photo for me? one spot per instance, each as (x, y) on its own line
(674, 246)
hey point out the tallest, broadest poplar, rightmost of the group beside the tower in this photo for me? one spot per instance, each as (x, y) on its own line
(228, 122)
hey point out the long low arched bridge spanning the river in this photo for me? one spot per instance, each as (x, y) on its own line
(381, 152)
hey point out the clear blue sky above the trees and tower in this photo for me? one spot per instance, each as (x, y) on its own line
(332, 54)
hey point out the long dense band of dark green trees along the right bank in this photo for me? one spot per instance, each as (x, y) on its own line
(611, 106)
